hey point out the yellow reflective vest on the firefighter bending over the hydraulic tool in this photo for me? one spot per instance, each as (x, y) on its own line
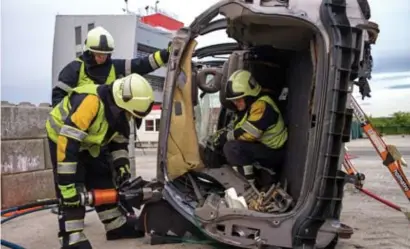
(94, 138)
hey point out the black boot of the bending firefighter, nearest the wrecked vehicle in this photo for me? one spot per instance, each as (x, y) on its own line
(127, 231)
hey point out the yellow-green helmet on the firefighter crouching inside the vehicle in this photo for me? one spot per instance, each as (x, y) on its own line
(242, 84)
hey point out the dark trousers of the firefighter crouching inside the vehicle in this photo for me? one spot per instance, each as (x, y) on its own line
(243, 156)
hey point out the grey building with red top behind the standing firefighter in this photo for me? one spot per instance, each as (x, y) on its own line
(134, 36)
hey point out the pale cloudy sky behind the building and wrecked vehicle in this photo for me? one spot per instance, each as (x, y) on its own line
(27, 30)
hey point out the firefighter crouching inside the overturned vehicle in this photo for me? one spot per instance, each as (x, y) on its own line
(258, 133)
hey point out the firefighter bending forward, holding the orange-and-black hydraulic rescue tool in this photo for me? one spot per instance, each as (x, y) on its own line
(87, 119)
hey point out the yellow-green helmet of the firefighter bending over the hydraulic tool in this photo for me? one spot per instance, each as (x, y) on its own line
(134, 94)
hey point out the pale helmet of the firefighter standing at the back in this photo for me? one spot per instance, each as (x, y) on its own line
(99, 40)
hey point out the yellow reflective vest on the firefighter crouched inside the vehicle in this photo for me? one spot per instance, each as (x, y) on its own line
(275, 136)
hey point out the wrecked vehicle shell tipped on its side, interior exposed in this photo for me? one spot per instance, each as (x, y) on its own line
(308, 53)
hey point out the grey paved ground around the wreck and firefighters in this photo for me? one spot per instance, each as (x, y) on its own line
(375, 225)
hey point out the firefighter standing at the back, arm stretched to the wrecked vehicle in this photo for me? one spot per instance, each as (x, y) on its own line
(95, 66)
